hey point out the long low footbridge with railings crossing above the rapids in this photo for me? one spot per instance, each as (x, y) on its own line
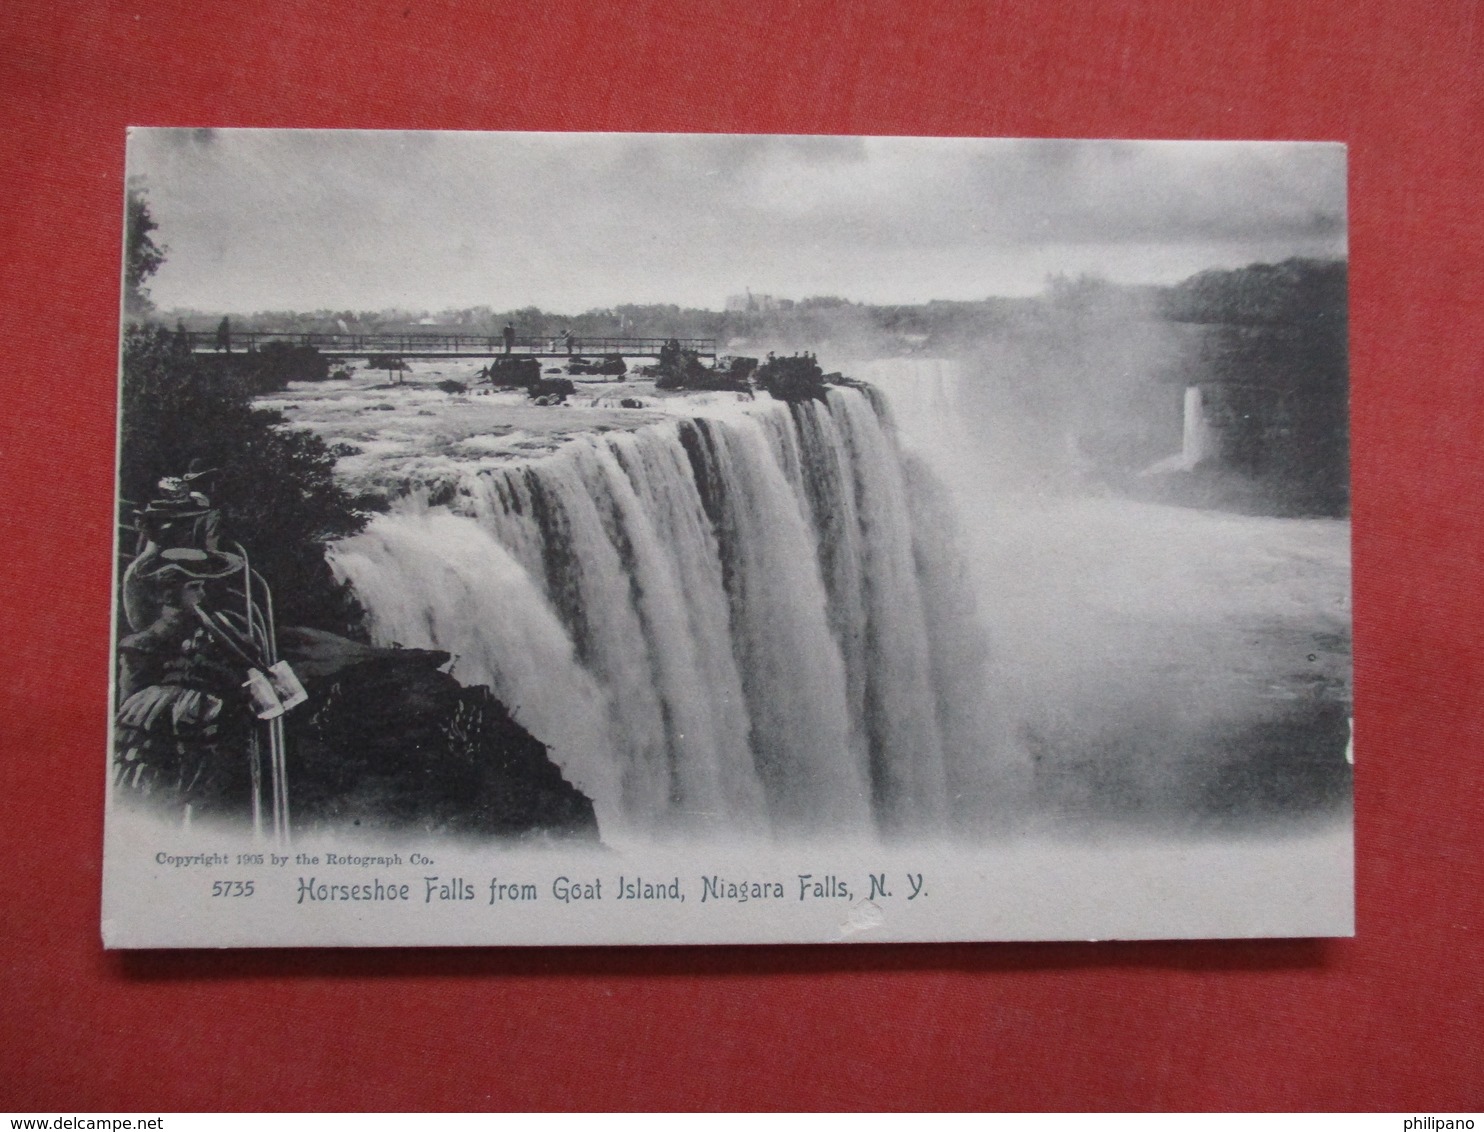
(434, 345)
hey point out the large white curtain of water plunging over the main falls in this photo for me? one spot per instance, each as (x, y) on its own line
(752, 622)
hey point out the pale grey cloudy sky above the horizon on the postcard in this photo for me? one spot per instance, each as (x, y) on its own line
(259, 220)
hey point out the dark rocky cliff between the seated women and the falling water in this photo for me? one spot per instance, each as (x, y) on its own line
(390, 741)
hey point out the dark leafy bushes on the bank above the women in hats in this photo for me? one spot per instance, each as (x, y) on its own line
(275, 486)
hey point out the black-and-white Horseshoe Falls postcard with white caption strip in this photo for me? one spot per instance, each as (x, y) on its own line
(672, 539)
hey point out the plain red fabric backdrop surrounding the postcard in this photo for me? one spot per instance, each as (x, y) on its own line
(1390, 1020)
